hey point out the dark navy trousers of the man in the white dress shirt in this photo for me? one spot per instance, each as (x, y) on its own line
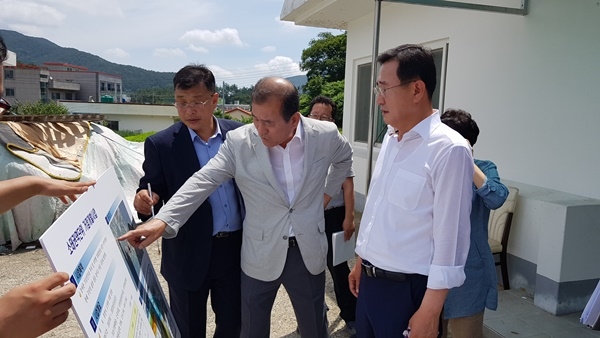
(385, 307)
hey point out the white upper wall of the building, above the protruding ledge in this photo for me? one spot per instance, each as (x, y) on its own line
(531, 82)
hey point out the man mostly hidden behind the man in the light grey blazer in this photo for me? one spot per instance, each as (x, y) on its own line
(339, 216)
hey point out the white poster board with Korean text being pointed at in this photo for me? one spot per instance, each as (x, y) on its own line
(118, 292)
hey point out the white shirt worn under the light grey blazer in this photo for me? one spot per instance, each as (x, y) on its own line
(288, 164)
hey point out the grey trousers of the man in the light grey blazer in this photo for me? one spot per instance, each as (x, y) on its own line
(306, 291)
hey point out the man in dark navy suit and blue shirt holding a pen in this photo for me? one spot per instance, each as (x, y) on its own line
(203, 258)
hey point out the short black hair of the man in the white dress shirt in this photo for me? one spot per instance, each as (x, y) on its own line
(415, 62)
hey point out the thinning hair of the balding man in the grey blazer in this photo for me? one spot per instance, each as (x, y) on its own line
(267, 87)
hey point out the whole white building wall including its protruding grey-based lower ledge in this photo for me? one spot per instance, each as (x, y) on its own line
(531, 82)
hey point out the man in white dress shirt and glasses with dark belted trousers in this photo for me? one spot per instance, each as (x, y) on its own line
(414, 235)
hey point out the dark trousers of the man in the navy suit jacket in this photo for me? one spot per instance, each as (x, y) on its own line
(223, 282)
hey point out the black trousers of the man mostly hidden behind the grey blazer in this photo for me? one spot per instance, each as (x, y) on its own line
(334, 218)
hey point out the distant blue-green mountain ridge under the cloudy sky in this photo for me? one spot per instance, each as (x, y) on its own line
(38, 50)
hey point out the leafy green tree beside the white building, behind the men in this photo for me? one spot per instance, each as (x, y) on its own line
(325, 63)
